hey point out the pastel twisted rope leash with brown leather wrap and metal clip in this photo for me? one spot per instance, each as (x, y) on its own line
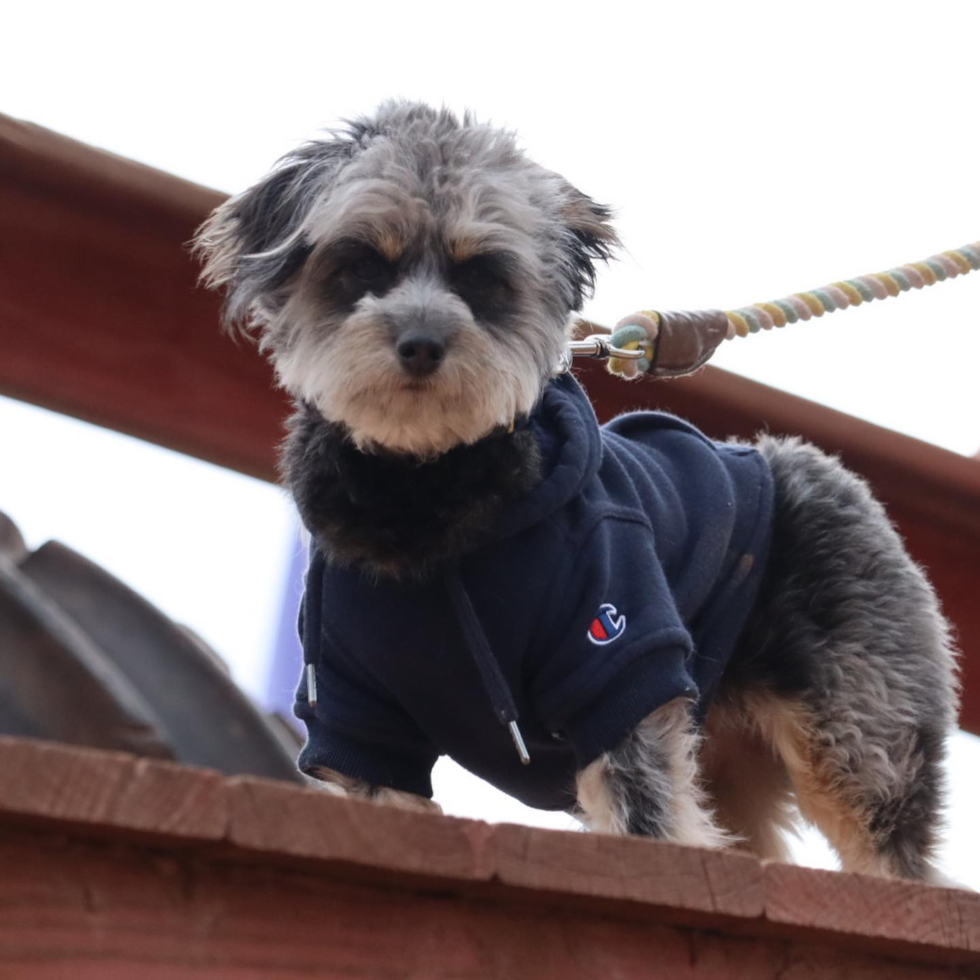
(673, 344)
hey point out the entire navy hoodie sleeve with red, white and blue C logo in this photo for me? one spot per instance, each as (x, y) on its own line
(622, 648)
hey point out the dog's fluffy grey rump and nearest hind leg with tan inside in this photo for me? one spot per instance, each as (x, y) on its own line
(847, 668)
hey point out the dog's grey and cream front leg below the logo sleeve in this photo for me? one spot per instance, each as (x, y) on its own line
(649, 784)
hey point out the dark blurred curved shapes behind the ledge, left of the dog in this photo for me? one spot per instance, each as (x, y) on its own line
(84, 659)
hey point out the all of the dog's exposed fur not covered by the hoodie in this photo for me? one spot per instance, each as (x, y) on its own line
(412, 280)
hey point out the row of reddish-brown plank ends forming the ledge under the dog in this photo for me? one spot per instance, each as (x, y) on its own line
(97, 794)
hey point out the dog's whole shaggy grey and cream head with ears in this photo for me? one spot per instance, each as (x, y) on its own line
(413, 277)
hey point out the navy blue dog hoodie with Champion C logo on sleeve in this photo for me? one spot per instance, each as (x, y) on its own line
(618, 584)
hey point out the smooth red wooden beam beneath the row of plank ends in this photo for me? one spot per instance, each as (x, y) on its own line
(100, 911)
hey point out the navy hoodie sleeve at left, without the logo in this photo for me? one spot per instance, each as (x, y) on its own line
(357, 730)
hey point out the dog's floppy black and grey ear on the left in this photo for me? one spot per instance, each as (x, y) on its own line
(254, 243)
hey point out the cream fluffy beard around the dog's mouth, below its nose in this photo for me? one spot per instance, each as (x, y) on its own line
(352, 375)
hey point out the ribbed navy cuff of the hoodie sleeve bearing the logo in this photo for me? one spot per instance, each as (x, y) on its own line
(639, 689)
